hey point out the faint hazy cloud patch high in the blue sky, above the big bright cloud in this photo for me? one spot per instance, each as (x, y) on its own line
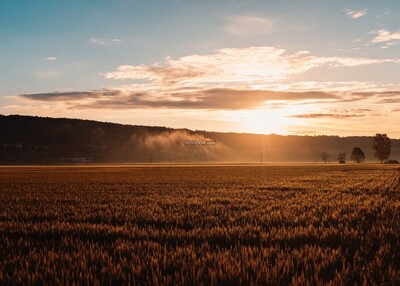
(248, 25)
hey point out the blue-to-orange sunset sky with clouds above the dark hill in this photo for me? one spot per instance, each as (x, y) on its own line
(286, 67)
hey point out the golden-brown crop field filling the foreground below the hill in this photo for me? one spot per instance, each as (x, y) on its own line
(200, 225)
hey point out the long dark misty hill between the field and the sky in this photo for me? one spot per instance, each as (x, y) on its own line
(42, 140)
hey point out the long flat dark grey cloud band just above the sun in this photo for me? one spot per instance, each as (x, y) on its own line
(215, 99)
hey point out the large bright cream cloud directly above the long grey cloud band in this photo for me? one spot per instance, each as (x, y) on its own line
(240, 66)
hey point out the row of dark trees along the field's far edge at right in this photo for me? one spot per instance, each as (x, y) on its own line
(381, 145)
